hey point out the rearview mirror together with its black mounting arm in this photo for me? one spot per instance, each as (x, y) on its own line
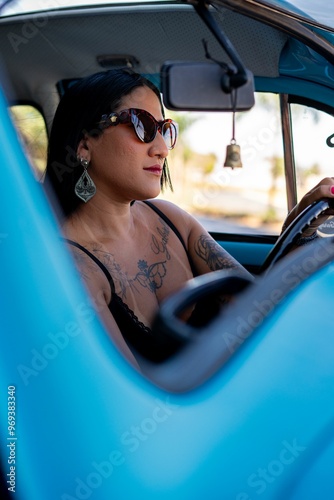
(208, 86)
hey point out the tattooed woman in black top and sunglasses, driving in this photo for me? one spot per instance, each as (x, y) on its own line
(108, 154)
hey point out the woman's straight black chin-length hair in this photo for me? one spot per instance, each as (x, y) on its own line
(78, 112)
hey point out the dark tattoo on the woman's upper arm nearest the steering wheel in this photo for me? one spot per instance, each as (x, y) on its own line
(213, 255)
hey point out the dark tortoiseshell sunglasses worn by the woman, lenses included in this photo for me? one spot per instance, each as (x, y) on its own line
(144, 124)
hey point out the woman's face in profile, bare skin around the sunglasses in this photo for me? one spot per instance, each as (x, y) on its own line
(121, 166)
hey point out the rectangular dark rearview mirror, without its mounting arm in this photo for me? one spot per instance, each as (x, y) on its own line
(196, 86)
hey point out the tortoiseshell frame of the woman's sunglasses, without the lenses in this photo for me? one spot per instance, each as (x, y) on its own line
(128, 116)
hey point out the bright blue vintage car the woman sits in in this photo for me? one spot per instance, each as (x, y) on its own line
(243, 408)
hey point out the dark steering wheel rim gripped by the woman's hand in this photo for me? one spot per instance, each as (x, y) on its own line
(294, 231)
